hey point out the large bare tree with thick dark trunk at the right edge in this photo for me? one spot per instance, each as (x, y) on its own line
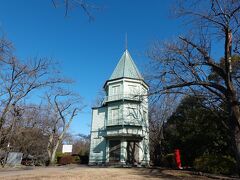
(187, 63)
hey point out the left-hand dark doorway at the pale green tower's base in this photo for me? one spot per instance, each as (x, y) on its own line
(114, 150)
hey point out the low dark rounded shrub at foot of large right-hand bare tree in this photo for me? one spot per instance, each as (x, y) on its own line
(215, 164)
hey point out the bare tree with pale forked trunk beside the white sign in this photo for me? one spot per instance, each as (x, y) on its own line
(62, 107)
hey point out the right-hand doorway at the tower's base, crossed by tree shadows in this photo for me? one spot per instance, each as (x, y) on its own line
(132, 152)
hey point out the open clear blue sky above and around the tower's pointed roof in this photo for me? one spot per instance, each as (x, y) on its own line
(87, 51)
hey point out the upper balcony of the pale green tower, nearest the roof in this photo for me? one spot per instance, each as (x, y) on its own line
(118, 97)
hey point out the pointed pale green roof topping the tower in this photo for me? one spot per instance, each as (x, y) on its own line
(126, 68)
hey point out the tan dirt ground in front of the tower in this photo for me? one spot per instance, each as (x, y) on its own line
(72, 172)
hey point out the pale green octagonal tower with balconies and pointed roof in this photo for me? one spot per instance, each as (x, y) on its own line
(119, 133)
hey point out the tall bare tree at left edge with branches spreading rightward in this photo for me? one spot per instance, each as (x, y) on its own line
(18, 80)
